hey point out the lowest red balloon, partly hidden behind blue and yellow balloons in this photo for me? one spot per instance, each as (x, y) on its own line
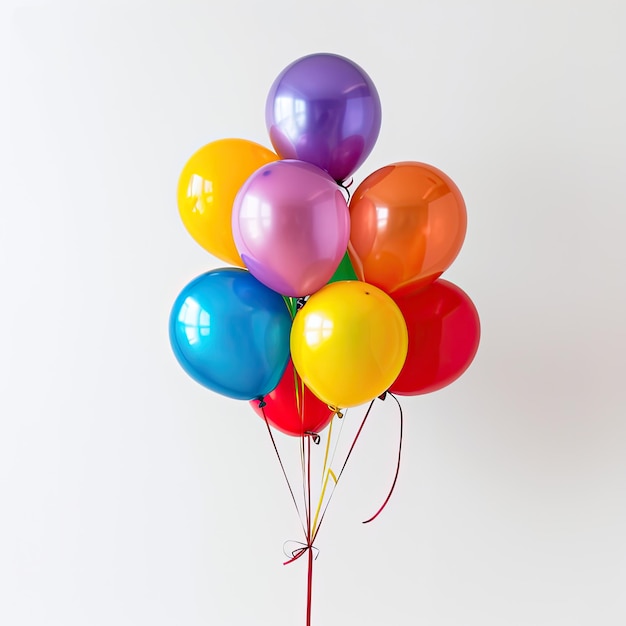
(293, 408)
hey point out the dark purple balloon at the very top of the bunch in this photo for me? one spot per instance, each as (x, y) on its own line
(324, 109)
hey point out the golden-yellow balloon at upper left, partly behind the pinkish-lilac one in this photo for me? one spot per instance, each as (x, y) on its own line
(207, 188)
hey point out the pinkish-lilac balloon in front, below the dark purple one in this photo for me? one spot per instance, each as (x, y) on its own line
(291, 226)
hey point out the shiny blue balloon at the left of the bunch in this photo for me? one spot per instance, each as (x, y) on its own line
(230, 333)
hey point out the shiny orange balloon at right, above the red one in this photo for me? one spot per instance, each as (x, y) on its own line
(408, 223)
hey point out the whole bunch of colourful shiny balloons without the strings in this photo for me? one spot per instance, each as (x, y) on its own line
(327, 302)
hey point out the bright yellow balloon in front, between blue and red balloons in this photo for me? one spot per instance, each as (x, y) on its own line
(348, 343)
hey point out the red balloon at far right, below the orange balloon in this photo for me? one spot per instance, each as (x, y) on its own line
(444, 333)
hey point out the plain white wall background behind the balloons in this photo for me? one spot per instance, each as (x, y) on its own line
(130, 495)
